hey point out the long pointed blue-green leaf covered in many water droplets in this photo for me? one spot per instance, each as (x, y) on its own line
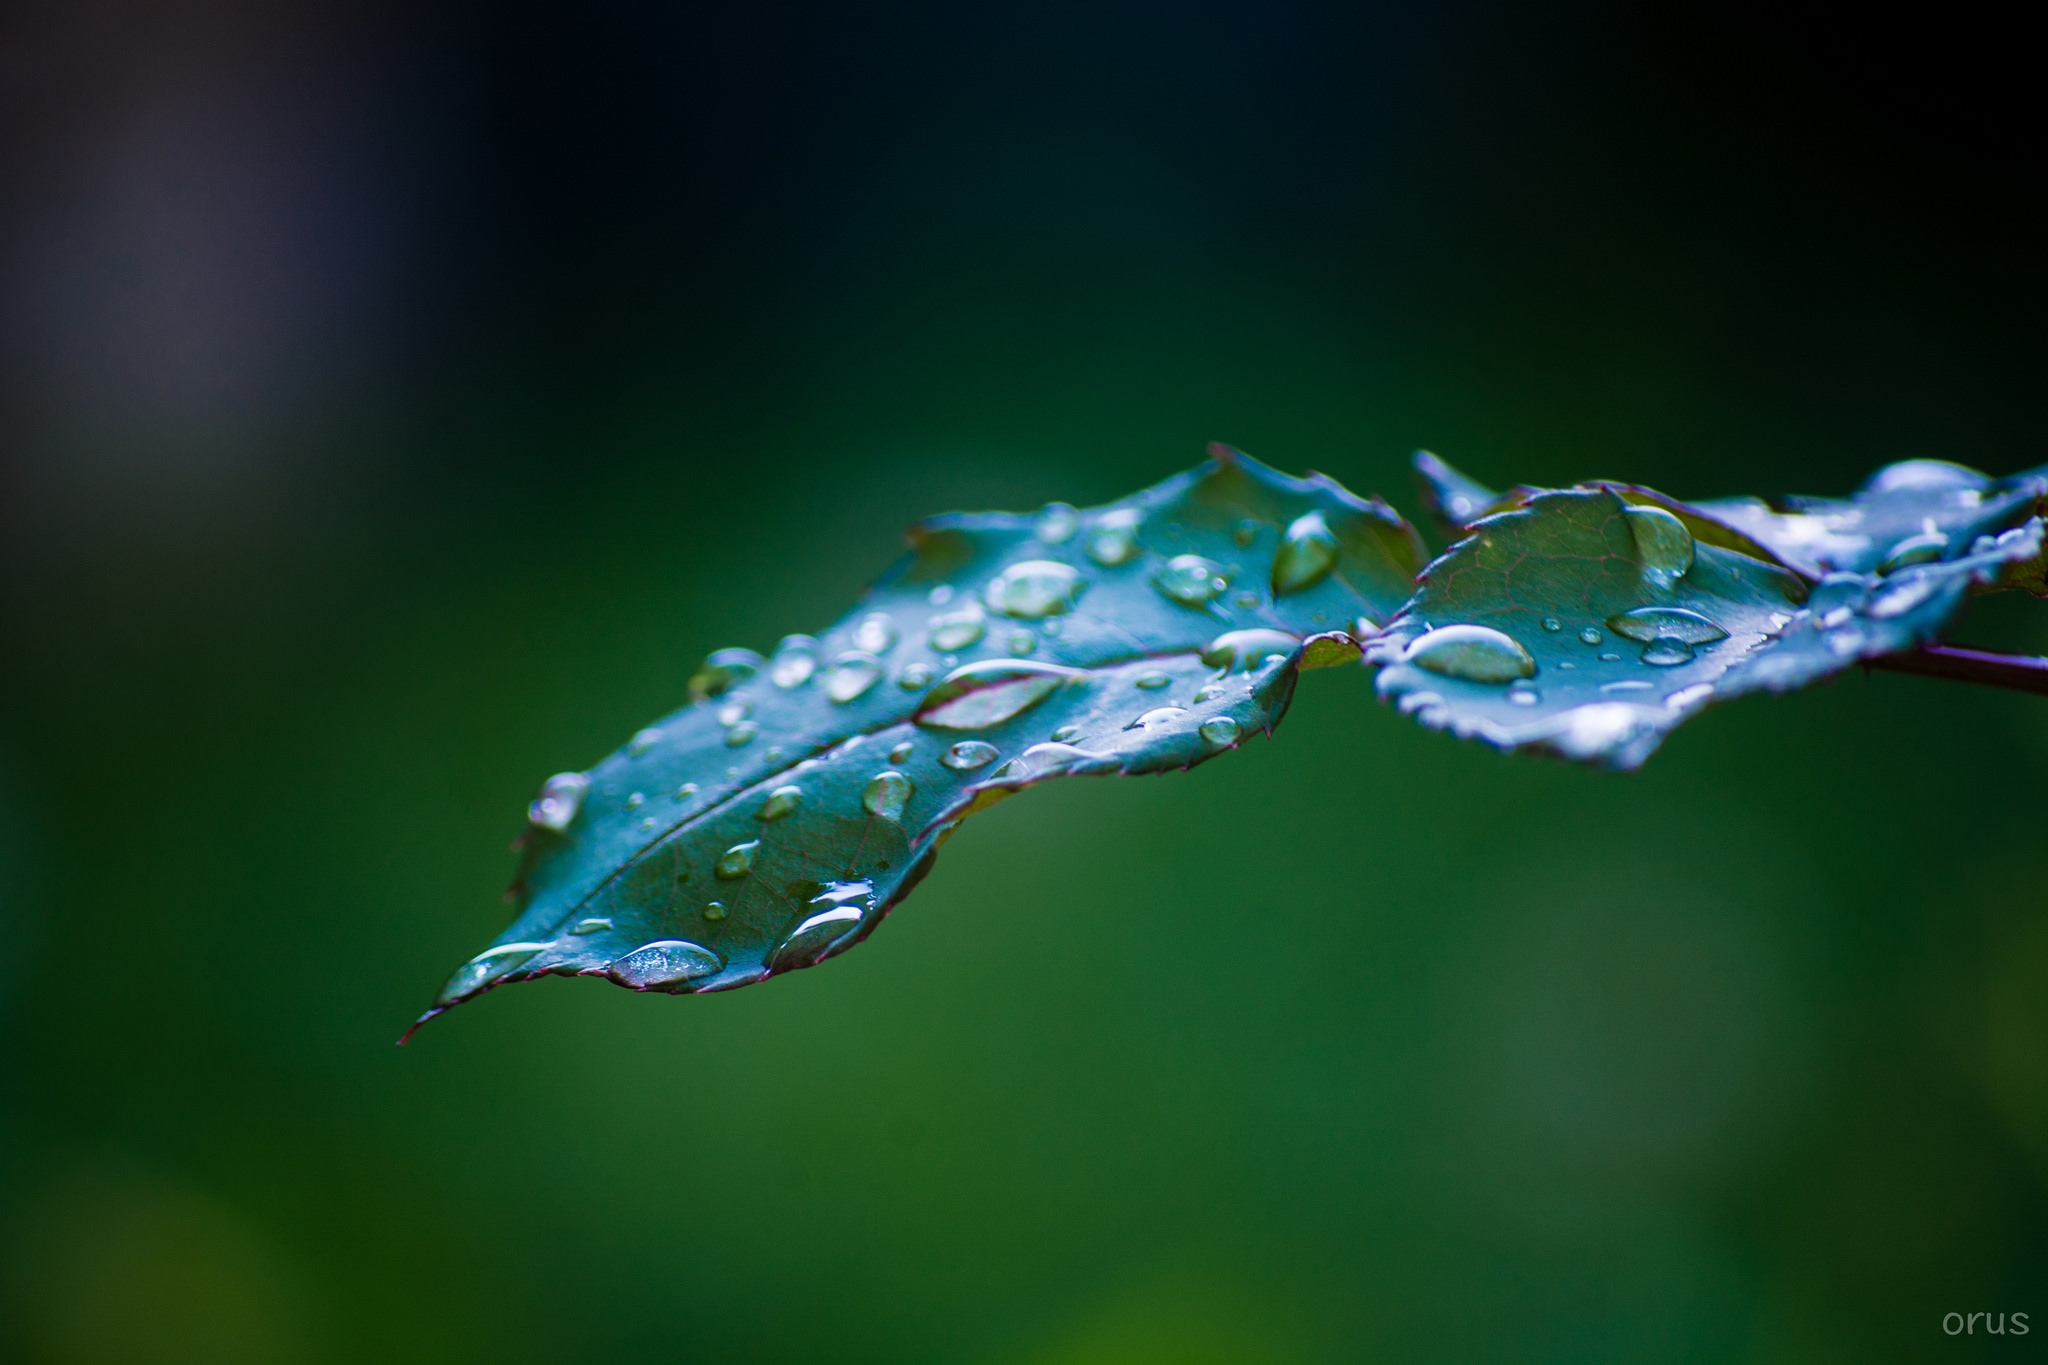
(798, 799)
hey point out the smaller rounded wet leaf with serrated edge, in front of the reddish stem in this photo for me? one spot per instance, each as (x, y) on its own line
(1590, 625)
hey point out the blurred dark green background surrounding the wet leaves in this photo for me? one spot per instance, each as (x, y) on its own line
(400, 402)
